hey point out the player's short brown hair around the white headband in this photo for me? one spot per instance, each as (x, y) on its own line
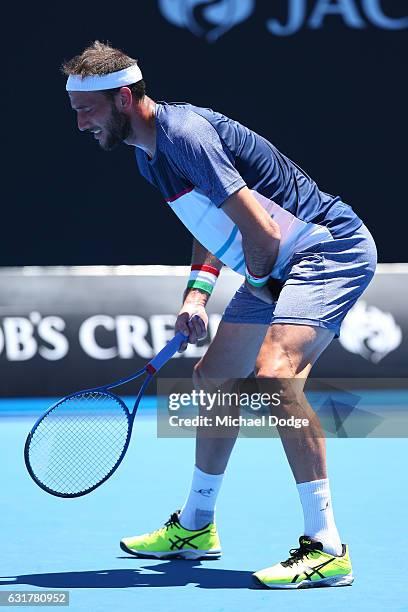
(99, 59)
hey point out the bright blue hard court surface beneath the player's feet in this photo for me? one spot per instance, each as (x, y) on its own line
(48, 543)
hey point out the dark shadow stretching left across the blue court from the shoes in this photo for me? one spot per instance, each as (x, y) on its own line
(166, 574)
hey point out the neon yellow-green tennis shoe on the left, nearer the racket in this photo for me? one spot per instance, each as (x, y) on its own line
(172, 540)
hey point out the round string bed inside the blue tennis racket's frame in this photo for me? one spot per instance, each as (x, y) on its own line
(76, 445)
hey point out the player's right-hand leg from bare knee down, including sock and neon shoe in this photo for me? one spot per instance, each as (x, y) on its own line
(284, 362)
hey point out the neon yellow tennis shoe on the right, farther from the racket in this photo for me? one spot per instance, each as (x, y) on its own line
(308, 566)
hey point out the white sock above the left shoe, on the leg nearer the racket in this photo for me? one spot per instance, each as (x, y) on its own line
(199, 507)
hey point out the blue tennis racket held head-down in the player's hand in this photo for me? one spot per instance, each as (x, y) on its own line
(82, 439)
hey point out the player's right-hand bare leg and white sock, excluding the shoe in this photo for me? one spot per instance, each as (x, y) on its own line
(284, 362)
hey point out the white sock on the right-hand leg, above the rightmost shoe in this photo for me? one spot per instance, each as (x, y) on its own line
(318, 515)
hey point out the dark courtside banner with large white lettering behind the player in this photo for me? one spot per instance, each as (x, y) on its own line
(63, 330)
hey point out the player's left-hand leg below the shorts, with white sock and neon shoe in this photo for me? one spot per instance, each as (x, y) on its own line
(193, 534)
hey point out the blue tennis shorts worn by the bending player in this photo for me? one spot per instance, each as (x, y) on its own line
(321, 284)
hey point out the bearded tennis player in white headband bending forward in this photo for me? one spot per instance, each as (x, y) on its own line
(251, 208)
